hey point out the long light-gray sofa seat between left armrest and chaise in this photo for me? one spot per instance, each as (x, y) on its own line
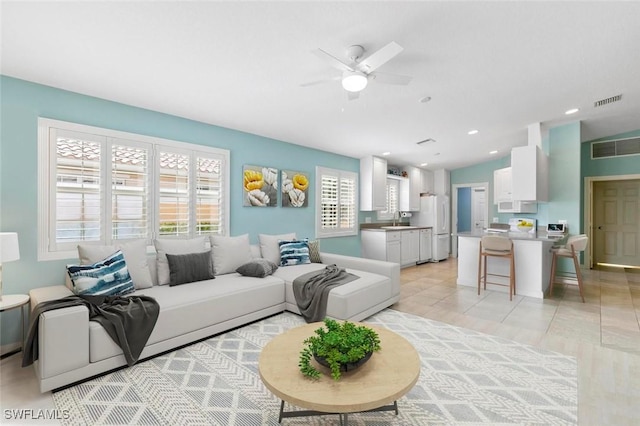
(186, 308)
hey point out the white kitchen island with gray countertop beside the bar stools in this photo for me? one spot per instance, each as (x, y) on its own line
(532, 255)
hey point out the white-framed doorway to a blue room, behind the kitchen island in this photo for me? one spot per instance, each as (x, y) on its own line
(469, 210)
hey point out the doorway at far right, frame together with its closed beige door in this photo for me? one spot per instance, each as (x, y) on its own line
(612, 220)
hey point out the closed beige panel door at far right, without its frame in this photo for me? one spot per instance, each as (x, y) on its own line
(616, 235)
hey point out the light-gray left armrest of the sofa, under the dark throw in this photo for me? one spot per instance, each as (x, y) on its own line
(63, 334)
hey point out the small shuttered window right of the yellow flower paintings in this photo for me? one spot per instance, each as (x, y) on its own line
(336, 201)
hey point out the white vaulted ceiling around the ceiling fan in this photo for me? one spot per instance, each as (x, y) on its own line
(492, 66)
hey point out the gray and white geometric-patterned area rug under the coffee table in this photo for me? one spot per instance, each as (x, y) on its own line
(466, 378)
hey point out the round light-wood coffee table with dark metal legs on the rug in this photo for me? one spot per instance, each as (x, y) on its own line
(388, 375)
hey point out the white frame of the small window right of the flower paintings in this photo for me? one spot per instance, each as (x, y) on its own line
(340, 231)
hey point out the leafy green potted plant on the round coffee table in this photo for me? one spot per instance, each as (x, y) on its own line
(340, 347)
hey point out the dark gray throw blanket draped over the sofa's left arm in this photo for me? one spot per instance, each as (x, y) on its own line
(129, 321)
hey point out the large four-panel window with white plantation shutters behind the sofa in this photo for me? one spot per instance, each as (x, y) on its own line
(99, 186)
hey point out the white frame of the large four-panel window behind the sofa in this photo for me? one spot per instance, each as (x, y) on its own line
(47, 189)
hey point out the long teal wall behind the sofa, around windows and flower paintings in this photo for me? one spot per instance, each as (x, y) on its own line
(23, 102)
